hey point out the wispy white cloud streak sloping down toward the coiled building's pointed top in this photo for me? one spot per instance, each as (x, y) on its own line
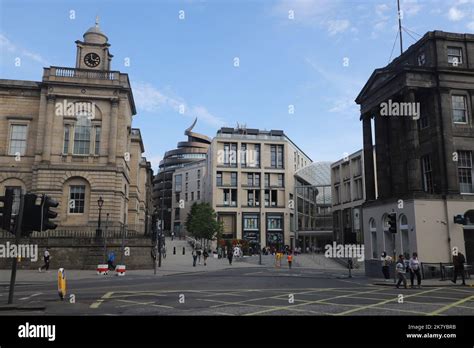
(150, 99)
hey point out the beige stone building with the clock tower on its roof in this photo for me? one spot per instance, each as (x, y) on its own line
(70, 136)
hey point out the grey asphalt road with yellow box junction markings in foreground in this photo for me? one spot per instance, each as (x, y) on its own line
(244, 291)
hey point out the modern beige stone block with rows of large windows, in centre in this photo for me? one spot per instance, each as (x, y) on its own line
(251, 184)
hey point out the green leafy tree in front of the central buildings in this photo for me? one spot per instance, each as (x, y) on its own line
(202, 223)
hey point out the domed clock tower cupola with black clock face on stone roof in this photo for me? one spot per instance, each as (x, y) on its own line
(93, 52)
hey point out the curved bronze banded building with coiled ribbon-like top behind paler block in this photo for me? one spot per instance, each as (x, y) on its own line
(187, 152)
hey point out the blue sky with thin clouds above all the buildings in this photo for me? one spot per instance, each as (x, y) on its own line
(316, 61)
